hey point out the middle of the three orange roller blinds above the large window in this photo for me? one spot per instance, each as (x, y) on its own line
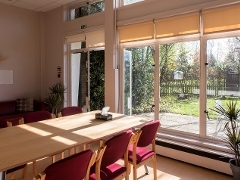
(178, 25)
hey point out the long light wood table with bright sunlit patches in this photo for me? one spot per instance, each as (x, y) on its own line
(29, 142)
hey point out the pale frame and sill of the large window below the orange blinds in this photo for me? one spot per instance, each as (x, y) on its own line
(196, 139)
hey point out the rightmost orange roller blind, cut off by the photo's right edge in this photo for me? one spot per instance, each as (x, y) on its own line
(221, 19)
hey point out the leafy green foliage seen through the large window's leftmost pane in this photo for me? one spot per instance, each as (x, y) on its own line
(142, 77)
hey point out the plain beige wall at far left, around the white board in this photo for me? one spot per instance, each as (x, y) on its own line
(19, 43)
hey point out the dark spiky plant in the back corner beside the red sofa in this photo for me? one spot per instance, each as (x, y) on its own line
(55, 97)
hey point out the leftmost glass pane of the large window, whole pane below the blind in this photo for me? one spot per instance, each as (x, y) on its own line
(139, 81)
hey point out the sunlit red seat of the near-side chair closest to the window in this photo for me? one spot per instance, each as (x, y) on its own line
(142, 154)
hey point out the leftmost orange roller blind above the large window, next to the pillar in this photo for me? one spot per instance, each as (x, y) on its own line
(136, 32)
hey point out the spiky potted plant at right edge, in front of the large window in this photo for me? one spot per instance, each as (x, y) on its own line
(232, 130)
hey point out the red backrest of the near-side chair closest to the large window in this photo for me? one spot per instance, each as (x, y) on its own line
(148, 133)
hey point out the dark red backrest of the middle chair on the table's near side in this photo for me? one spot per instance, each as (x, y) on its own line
(116, 148)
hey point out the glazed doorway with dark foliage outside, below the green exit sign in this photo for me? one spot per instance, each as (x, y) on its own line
(87, 80)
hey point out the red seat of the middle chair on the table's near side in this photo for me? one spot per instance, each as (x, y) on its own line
(110, 172)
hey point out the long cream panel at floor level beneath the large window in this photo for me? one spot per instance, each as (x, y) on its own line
(201, 161)
